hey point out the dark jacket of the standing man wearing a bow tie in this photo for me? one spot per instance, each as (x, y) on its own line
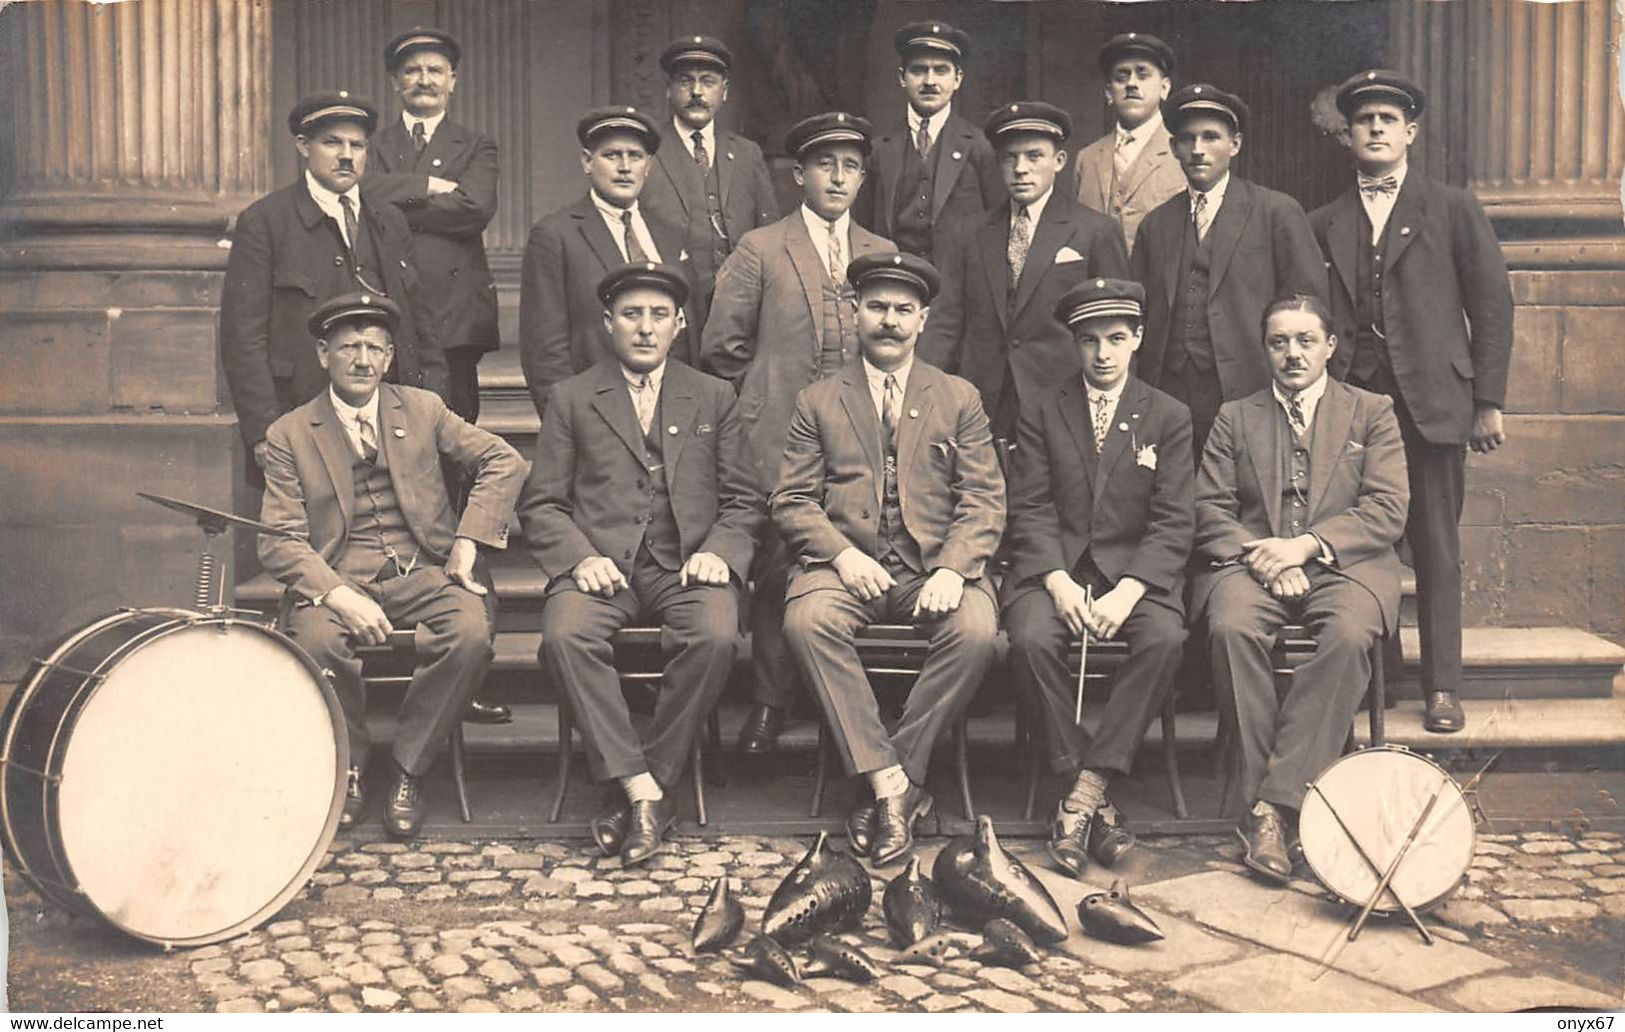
(1447, 301)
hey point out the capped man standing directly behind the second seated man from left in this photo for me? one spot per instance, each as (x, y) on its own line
(573, 249)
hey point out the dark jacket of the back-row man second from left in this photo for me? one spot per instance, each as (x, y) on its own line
(677, 194)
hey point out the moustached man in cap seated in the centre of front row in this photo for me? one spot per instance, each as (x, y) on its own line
(891, 501)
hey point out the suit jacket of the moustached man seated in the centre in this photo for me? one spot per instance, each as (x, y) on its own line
(831, 479)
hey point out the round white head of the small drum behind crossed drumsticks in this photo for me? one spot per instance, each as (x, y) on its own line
(1380, 794)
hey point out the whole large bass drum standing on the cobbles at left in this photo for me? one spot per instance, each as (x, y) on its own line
(173, 774)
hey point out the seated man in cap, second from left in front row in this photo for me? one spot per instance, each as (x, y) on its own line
(643, 505)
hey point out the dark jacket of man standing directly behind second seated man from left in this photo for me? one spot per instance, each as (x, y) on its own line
(561, 323)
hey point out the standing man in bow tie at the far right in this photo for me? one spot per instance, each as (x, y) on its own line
(1424, 308)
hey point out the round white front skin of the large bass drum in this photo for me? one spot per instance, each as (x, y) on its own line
(202, 783)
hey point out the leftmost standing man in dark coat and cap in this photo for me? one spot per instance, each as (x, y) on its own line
(303, 245)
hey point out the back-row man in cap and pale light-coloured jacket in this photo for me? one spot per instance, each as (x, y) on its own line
(1132, 170)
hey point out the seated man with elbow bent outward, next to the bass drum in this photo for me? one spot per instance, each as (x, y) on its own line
(388, 550)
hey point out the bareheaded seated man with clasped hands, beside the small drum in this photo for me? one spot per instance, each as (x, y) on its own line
(1299, 503)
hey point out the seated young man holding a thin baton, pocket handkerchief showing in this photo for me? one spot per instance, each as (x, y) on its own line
(1101, 519)
